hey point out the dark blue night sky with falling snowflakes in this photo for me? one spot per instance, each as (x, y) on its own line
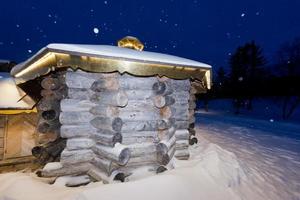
(207, 31)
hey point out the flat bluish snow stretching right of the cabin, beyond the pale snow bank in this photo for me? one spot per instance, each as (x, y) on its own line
(269, 152)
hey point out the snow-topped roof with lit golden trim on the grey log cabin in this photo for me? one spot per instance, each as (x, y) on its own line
(105, 58)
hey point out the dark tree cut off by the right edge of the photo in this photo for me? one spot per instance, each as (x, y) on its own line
(289, 69)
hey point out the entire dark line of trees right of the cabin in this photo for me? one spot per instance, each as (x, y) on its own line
(250, 75)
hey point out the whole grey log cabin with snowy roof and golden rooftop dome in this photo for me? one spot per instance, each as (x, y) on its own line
(106, 111)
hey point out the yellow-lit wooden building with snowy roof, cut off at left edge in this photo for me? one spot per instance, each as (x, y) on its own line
(18, 119)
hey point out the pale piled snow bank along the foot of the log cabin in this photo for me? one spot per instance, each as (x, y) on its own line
(211, 173)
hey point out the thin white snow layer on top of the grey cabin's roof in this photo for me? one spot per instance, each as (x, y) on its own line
(117, 52)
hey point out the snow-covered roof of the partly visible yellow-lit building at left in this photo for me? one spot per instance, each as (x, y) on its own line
(11, 97)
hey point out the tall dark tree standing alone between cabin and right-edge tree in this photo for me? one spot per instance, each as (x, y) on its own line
(246, 73)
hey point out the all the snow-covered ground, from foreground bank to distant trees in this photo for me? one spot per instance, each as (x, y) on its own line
(237, 157)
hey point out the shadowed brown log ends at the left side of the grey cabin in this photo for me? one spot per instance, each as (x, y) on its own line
(50, 144)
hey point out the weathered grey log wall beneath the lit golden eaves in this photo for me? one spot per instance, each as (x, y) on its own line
(114, 124)
